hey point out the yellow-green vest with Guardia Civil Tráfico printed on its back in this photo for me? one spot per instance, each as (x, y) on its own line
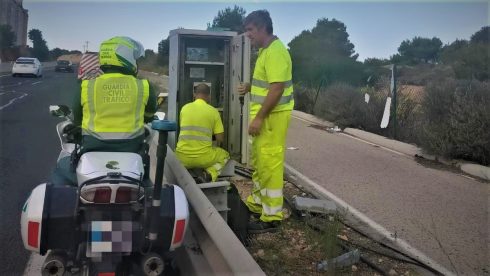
(114, 106)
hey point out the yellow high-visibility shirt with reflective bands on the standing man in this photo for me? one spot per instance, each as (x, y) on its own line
(273, 65)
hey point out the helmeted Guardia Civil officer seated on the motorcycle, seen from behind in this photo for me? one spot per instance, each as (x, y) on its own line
(112, 108)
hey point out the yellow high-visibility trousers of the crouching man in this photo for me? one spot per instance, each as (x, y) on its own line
(212, 161)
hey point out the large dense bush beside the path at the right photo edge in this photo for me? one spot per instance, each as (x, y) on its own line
(457, 120)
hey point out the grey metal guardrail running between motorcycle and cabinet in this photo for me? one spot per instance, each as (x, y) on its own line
(210, 247)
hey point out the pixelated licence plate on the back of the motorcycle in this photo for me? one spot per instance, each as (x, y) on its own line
(111, 236)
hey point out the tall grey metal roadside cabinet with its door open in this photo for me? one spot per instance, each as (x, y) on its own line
(221, 60)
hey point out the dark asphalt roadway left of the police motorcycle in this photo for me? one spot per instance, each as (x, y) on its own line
(28, 150)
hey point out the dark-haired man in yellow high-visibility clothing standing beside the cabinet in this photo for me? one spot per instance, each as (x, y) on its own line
(271, 102)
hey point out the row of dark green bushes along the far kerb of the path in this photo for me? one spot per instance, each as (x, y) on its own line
(451, 118)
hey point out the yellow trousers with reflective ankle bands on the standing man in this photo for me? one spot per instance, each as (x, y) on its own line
(267, 158)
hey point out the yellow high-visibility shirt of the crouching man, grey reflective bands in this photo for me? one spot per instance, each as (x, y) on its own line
(198, 122)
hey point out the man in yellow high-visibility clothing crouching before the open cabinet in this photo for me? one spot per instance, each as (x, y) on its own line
(199, 121)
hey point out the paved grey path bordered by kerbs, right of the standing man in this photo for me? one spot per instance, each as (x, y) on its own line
(443, 214)
